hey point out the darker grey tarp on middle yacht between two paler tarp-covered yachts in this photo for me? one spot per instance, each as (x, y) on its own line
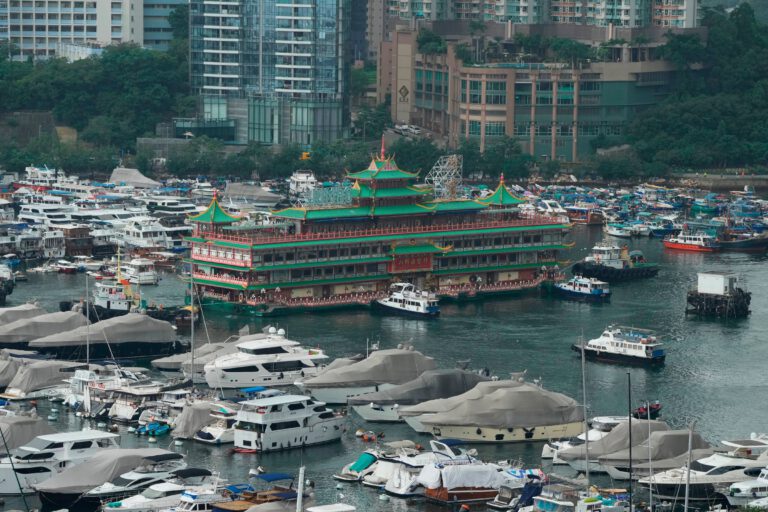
(427, 386)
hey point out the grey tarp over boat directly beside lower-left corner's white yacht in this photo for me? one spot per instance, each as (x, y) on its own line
(103, 467)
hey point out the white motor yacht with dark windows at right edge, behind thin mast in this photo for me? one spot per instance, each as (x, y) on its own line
(710, 477)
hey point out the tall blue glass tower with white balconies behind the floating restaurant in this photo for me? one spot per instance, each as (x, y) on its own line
(270, 72)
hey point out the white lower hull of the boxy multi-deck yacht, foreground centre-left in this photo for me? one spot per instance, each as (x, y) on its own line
(286, 439)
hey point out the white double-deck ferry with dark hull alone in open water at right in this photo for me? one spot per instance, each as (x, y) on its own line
(627, 345)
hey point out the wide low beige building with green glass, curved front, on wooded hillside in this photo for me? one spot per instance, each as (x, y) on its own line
(554, 110)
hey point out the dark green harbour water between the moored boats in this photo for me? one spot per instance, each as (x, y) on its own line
(714, 374)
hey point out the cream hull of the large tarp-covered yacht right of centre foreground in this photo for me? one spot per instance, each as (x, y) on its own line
(515, 435)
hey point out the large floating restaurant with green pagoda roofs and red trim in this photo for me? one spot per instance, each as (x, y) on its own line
(390, 230)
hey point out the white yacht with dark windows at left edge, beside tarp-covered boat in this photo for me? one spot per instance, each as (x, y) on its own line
(46, 455)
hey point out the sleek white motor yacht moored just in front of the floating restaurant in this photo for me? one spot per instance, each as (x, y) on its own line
(270, 361)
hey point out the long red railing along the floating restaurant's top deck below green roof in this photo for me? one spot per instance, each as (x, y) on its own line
(532, 220)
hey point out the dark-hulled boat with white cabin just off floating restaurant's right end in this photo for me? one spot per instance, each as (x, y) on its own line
(610, 263)
